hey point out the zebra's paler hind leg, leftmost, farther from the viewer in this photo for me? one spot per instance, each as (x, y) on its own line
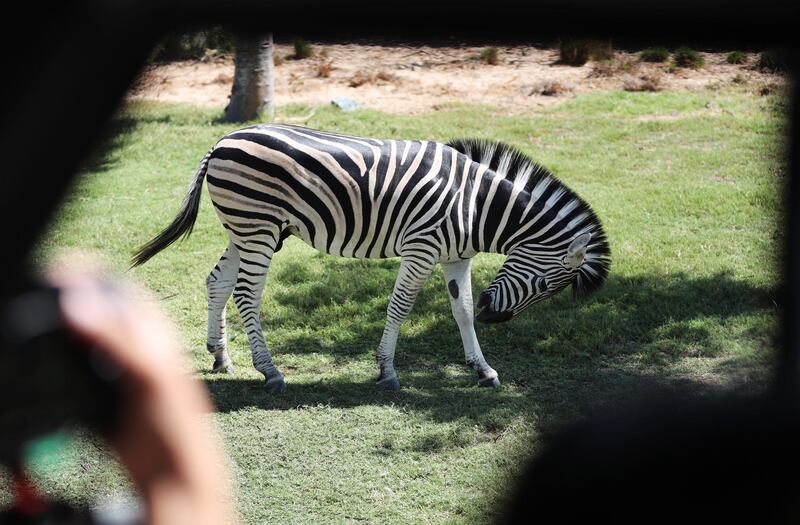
(219, 285)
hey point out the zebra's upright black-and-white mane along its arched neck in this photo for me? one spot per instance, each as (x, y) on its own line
(526, 174)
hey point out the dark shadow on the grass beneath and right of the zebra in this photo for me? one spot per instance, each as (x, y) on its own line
(555, 357)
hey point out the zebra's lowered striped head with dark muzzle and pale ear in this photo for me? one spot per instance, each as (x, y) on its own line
(534, 272)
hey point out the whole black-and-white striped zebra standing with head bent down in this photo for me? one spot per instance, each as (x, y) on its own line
(426, 202)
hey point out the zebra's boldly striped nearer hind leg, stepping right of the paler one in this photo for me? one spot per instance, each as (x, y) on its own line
(255, 255)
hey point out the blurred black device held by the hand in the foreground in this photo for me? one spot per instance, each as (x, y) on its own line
(49, 379)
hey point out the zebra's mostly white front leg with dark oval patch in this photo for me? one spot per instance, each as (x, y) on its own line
(457, 276)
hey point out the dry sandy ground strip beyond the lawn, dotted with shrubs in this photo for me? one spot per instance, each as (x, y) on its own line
(409, 80)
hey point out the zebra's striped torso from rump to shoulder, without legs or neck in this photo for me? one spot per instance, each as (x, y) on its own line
(348, 196)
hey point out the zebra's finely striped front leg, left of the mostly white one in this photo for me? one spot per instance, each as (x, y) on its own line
(412, 275)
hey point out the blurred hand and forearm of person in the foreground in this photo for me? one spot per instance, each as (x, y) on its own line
(171, 453)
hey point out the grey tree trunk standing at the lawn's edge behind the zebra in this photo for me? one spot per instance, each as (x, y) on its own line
(253, 91)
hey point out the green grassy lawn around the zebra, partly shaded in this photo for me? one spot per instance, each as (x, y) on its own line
(689, 188)
